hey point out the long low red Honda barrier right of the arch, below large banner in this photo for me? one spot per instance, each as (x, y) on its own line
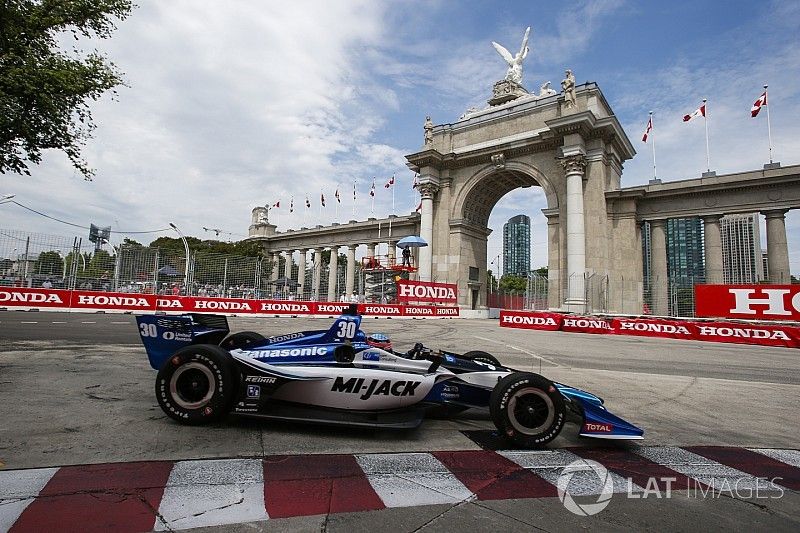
(714, 331)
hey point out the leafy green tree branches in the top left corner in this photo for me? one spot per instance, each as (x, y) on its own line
(44, 91)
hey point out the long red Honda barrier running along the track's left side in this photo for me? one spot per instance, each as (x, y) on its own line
(64, 300)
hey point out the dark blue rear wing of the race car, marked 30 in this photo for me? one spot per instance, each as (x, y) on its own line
(163, 335)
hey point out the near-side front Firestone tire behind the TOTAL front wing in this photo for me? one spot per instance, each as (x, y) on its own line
(527, 409)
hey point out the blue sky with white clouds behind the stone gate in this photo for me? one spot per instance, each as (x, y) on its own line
(230, 105)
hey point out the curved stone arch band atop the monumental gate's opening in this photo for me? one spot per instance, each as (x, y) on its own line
(481, 192)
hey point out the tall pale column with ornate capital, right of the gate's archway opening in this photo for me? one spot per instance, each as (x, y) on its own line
(574, 168)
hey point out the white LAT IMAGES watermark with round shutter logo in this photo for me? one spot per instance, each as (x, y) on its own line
(585, 487)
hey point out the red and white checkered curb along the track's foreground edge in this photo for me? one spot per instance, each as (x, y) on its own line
(162, 495)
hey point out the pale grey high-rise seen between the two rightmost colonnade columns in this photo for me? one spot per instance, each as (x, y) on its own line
(742, 260)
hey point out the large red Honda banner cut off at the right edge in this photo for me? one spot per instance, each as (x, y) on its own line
(751, 302)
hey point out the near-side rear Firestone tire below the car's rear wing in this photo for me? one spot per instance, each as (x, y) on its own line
(197, 384)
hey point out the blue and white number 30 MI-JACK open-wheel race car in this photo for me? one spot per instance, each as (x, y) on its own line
(336, 376)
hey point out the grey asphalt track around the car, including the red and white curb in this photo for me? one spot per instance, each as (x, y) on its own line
(78, 407)
